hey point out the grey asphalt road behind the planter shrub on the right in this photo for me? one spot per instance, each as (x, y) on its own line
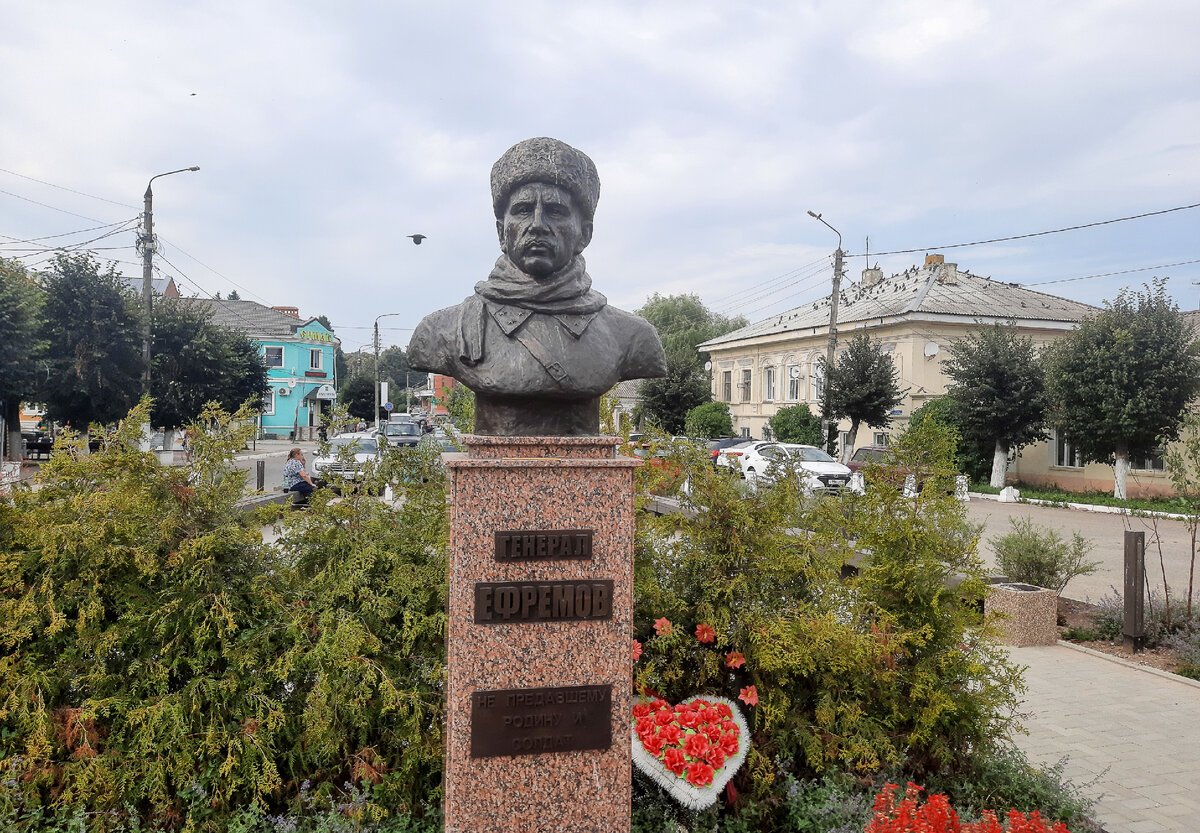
(1168, 544)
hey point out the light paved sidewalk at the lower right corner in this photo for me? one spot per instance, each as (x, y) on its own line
(1135, 732)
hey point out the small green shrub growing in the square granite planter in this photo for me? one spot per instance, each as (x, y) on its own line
(1037, 555)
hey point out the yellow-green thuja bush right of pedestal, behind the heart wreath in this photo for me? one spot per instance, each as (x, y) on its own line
(890, 668)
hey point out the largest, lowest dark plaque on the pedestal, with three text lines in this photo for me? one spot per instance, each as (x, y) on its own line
(530, 722)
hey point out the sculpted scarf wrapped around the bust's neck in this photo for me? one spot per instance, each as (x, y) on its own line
(567, 292)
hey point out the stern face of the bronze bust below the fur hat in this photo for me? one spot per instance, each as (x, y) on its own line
(543, 230)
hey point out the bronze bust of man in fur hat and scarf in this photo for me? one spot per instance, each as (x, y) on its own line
(536, 343)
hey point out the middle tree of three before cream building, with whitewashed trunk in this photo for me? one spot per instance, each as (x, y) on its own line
(999, 387)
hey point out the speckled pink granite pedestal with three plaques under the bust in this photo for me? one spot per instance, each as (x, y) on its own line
(539, 678)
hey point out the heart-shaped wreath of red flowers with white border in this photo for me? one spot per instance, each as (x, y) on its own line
(692, 750)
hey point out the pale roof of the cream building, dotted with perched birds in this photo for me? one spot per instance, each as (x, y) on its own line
(934, 290)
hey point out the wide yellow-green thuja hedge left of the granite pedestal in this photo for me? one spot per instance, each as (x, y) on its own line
(161, 668)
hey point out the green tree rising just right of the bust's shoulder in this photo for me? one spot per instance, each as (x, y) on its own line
(683, 323)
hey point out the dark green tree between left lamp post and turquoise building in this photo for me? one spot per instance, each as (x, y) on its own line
(196, 362)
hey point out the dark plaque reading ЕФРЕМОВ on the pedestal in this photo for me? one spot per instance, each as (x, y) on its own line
(543, 601)
